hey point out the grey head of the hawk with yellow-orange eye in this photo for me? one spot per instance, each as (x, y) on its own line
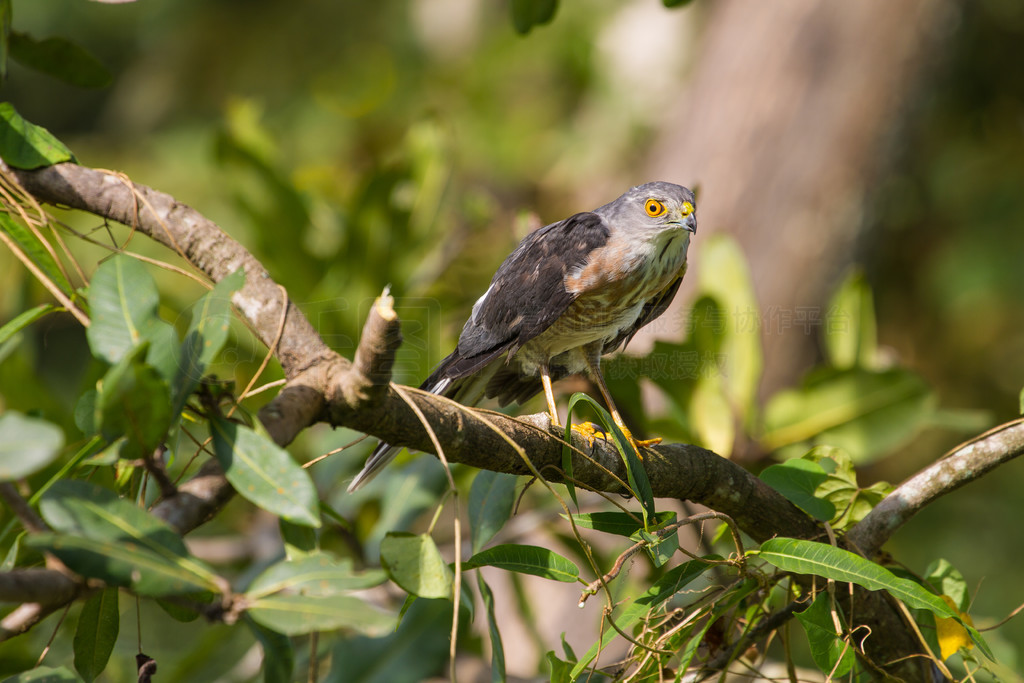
(656, 206)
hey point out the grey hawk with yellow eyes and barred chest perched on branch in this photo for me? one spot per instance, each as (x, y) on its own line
(570, 293)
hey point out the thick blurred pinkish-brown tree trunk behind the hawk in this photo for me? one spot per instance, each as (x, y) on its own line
(792, 113)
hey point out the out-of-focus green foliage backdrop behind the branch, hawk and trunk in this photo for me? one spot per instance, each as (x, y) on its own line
(356, 145)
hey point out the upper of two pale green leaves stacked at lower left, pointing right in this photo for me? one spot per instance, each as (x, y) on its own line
(320, 574)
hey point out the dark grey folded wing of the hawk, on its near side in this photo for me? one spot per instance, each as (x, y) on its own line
(527, 295)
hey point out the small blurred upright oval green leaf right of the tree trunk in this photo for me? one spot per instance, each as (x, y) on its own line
(850, 335)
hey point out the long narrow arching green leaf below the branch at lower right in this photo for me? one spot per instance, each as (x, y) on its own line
(825, 561)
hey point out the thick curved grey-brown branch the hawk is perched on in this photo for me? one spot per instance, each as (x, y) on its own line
(324, 387)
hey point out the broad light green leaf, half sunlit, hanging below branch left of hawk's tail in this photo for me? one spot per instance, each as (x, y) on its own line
(415, 564)
